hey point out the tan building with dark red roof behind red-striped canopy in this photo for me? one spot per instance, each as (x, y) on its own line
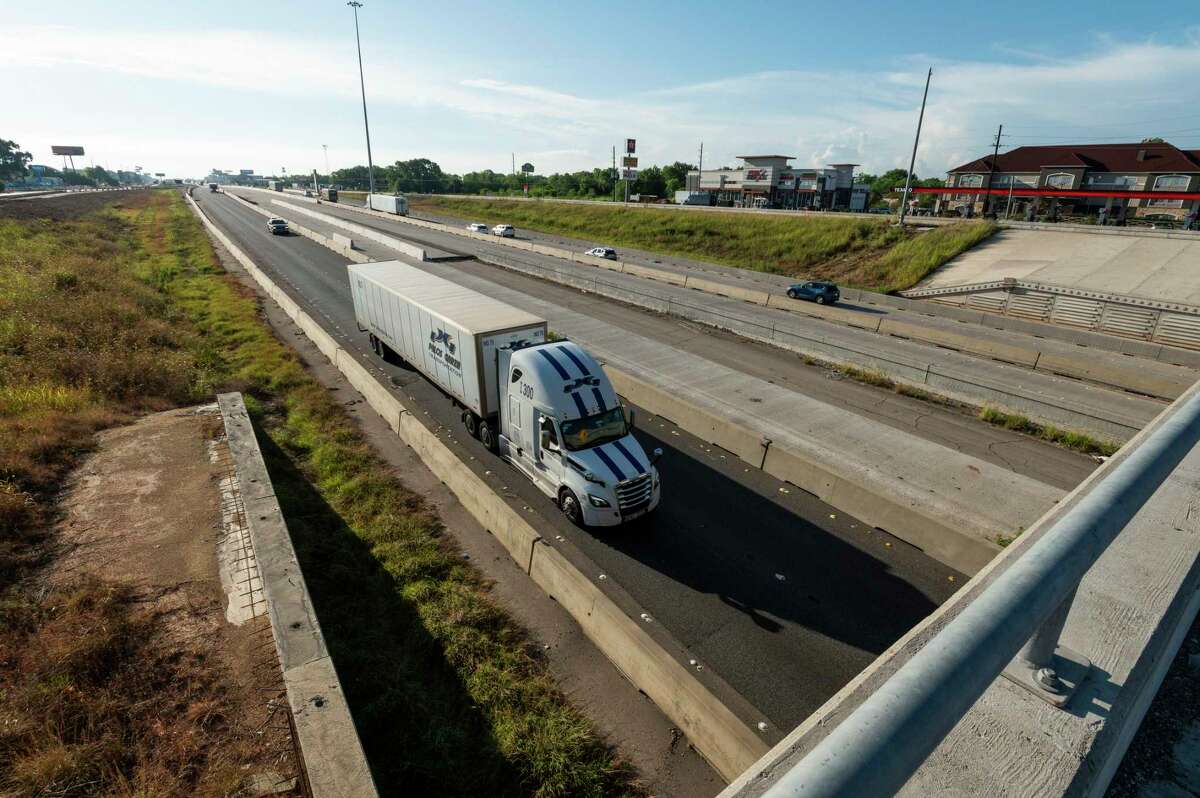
(1144, 181)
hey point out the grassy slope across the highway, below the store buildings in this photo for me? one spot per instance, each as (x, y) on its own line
(866, 253)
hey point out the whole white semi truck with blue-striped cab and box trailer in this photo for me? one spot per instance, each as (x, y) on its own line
(545, 406)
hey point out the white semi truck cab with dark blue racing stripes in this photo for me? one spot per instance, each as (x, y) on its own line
(562, 424)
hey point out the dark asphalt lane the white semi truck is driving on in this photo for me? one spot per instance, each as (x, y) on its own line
(779, 595)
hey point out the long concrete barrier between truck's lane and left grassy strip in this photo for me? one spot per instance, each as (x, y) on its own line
(715, 731)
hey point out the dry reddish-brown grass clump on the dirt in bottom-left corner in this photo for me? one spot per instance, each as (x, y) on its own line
(98, 704)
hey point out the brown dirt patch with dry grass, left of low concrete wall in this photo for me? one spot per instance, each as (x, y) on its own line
(155, 685)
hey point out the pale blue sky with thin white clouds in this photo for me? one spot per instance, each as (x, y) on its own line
(182, 87)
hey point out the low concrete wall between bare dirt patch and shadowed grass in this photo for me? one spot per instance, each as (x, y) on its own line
(332, 754)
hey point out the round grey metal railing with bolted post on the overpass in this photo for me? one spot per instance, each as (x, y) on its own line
(878, 748)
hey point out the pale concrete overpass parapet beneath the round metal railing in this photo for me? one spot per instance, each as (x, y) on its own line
(1130, 616)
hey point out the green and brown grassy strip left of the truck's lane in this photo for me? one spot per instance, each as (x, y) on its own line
(128, 310)
